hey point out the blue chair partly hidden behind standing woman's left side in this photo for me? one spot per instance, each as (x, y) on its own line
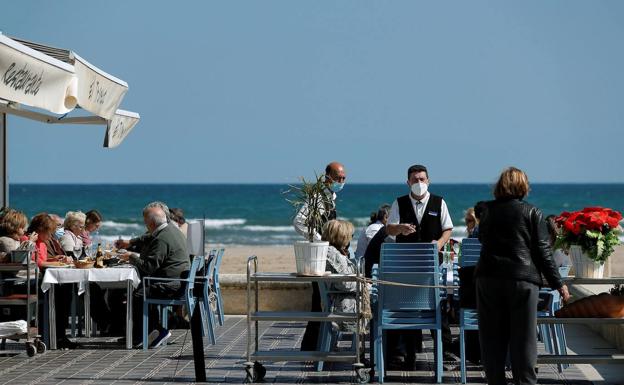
(468, 318)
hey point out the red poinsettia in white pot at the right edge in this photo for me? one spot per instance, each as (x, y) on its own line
(590, 235)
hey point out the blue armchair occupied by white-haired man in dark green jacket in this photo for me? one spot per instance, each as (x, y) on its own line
(187, 298)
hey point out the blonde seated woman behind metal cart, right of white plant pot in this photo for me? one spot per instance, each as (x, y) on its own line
(339, 233)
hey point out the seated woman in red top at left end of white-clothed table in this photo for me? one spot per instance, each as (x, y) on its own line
(45, 226)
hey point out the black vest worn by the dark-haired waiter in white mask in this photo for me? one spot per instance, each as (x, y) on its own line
(430, 226)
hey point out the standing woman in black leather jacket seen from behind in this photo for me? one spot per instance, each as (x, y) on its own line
(515, 253)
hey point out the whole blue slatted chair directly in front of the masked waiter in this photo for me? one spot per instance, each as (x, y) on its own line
(404, 307)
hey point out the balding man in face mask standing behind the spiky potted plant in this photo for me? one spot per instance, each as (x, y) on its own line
(335, 177)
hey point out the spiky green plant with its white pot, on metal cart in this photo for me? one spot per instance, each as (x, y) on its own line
(311, 200)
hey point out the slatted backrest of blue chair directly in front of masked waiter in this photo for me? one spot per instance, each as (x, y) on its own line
(409, 263)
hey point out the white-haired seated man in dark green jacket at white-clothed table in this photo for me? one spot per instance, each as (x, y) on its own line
(162, 252)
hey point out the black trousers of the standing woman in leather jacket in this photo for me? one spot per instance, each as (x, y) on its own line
(508, 321)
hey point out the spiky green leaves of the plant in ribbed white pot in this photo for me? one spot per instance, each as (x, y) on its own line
(315, 200)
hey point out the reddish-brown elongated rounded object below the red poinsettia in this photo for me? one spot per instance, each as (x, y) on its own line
(603, 305)
